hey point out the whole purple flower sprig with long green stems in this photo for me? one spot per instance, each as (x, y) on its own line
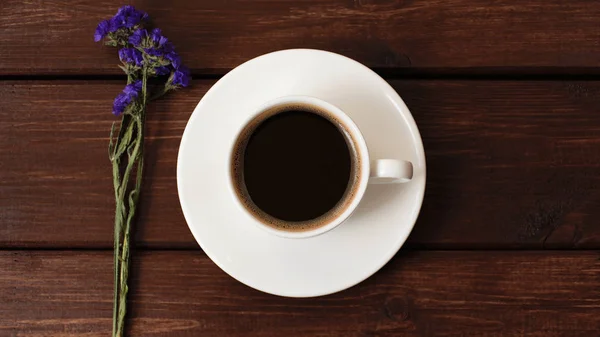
(144, 54)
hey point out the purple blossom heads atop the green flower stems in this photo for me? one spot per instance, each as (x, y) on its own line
(143, 54)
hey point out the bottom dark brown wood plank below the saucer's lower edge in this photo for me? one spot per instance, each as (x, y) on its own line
(183, 293)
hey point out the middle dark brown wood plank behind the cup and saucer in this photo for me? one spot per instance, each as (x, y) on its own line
(510, 164)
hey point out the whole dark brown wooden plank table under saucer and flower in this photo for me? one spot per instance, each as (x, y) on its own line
(506, 94)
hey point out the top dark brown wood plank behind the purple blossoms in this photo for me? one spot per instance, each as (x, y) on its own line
(55, 37)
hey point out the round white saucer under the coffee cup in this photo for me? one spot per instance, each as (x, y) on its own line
(337, 259)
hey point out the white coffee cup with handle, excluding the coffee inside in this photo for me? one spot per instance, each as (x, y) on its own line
(378, 171)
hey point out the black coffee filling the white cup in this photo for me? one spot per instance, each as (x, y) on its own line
(294, 167)
